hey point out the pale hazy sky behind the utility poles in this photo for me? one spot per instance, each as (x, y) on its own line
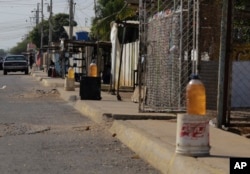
(17, 17)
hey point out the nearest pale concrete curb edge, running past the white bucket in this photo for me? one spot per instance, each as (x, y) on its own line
(157, 153)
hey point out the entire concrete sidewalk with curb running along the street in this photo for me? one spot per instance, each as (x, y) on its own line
(153, 135)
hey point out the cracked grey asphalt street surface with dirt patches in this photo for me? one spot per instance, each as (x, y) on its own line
(41, 133)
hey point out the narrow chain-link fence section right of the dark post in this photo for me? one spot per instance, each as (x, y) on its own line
(239, 93)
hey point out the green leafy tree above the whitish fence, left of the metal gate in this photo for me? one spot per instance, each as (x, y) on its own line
(106, 12)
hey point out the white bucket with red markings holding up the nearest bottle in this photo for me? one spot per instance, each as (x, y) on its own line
(192, 136)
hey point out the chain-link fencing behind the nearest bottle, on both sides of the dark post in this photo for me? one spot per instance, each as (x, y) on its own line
(180, 37)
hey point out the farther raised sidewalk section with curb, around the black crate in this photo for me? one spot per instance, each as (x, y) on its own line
(108, 107)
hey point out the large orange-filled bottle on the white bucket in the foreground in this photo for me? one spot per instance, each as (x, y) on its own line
(196, 97)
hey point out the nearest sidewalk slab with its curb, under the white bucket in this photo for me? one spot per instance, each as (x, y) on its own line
(155, 141)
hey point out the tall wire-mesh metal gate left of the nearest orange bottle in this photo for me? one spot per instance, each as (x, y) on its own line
(168, 53)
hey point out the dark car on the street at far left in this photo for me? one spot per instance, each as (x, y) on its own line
(14, 63)
